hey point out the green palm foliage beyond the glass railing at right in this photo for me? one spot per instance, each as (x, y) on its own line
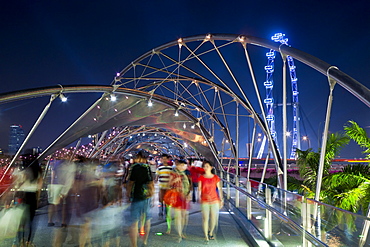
(348, 189)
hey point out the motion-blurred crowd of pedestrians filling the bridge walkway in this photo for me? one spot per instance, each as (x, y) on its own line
(93, 203)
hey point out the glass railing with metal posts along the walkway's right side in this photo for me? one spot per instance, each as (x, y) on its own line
(285, 218)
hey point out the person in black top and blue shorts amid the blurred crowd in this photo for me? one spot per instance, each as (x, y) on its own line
(140, 189)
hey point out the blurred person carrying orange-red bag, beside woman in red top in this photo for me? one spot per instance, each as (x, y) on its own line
(180, 181)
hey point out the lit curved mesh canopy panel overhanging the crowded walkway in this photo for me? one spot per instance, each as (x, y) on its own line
(132, 110)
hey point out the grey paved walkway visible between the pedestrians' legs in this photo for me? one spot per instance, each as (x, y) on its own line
(111, 220)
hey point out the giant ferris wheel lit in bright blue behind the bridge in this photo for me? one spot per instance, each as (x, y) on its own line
(269, 100)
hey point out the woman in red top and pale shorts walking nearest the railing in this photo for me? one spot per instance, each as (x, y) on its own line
(211, 198)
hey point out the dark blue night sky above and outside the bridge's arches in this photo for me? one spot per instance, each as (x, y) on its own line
(46, 43)
